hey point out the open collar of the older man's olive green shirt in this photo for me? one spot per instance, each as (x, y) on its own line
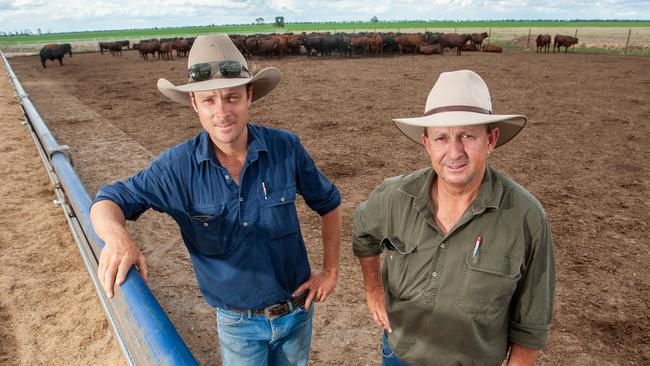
(419, 184)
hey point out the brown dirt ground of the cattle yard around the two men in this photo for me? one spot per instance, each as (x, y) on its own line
(584, 154)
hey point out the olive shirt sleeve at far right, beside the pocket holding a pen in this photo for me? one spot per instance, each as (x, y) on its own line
(532, 309)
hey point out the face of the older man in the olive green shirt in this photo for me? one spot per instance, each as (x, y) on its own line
(459, 154)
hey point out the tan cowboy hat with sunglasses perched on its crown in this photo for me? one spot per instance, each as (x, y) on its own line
(215, 63)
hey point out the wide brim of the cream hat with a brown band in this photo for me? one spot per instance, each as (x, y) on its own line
(509, 125)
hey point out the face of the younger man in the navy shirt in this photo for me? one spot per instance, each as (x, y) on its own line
(223, 112)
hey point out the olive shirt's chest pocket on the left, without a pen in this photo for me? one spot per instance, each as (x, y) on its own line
(399, 256)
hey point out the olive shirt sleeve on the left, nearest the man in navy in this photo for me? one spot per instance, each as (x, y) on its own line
(368, 224)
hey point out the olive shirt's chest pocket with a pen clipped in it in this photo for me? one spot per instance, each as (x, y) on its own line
(488, 284)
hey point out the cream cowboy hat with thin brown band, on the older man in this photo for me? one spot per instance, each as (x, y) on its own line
(460, 98)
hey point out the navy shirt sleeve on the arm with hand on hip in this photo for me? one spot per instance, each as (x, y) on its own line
(319, 193)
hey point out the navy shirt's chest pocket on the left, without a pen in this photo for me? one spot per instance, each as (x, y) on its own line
(210, 232)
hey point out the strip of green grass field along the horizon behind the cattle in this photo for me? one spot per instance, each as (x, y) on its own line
(308, 27)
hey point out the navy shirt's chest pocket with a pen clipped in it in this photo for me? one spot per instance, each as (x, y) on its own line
(278, 215)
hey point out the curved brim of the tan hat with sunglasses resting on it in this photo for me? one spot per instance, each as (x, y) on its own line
(263, 83)
